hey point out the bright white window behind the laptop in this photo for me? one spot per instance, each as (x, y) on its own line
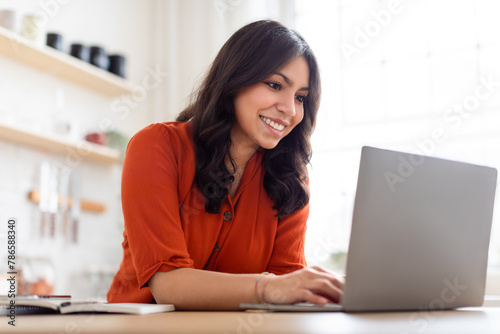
(392, 73)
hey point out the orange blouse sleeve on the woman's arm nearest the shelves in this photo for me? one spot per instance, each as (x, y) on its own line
(151, 205)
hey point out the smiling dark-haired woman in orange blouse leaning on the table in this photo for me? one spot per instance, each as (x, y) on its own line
(221, 195)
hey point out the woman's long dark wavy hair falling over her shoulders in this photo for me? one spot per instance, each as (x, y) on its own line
(249, 56)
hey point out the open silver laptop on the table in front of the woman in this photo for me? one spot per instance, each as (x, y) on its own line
(420, 235)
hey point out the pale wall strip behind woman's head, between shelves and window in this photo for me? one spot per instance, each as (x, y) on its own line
(189, 34)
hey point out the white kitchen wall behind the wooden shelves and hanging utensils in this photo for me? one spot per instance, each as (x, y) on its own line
(28, 97)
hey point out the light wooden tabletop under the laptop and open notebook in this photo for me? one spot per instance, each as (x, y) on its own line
(466, 320)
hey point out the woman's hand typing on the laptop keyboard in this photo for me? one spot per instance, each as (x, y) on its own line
(312, 285)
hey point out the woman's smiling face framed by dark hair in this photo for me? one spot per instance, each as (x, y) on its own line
(267, 111)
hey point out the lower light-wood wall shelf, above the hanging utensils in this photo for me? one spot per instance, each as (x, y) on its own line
(58, 144)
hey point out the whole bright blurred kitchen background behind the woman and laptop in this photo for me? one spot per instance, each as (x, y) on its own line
(391, 70)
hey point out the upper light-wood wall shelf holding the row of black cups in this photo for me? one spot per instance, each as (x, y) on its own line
(61, 64)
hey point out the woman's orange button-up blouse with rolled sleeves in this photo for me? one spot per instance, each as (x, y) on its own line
(166, 226)
